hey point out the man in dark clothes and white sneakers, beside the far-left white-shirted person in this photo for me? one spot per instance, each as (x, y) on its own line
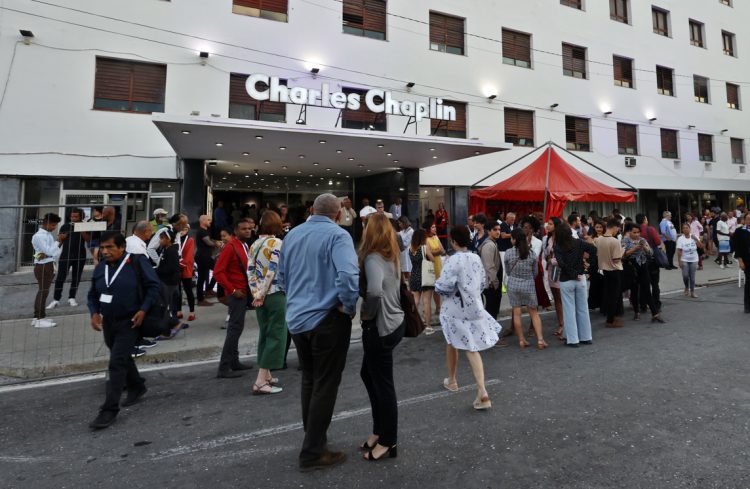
(73, 257)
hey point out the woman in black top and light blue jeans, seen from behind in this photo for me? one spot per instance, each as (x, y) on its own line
(569, 255)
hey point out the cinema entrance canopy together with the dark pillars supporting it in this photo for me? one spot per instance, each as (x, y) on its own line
(255, 156)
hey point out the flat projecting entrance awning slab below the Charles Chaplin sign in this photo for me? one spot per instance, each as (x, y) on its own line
(242, 146)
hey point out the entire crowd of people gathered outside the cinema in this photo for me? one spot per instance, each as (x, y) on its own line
(304, 278)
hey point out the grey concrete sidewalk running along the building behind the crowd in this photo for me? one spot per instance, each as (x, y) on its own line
(27, 352)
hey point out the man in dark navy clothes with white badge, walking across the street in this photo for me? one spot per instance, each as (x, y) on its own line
(118, 310)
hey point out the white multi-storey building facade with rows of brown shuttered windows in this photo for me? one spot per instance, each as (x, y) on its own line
(659, 81)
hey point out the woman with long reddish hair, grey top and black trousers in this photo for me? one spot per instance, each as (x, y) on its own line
(382, 329)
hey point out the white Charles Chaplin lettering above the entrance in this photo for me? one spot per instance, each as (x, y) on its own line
(376, 100)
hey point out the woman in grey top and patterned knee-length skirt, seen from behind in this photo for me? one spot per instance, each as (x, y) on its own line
(522, 268)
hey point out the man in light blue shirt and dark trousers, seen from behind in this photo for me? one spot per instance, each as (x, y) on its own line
(318, 270)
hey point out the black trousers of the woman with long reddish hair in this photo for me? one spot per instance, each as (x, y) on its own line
(377, 375)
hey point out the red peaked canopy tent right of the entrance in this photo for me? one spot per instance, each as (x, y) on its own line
(549, 179)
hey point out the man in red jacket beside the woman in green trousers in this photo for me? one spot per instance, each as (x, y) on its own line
(230, 272)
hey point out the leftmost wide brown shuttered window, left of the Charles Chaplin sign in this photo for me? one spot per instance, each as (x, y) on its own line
(129, 86)
